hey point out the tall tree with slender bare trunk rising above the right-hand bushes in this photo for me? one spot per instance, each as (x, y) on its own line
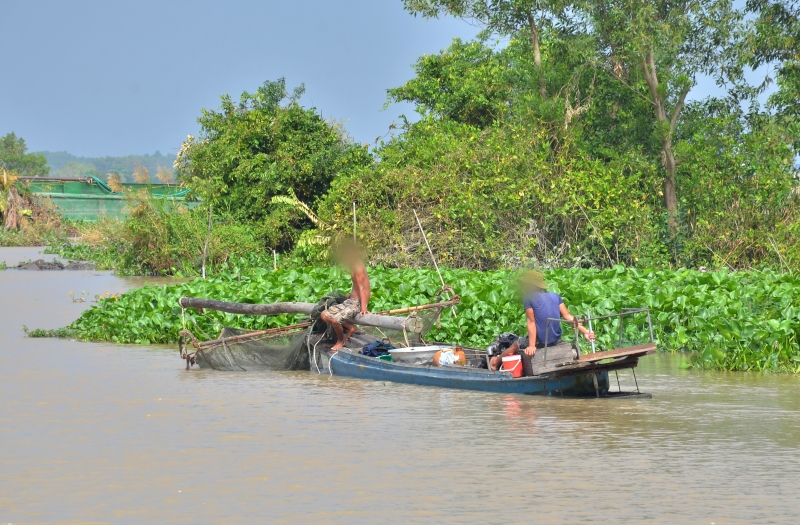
(658, 49)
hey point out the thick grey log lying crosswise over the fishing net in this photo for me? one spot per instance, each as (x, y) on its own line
(386, 322)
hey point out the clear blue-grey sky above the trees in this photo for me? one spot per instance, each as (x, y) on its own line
(100, 77)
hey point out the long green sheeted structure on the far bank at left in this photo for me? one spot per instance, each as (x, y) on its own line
(90, 199)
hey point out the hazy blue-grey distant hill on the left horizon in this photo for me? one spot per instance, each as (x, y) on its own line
(63, 164)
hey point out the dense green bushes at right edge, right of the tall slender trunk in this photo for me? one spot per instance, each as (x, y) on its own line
(739, 197)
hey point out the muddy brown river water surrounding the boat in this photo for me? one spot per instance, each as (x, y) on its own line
(98, 433)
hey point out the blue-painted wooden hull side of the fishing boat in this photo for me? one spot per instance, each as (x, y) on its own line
(362, 367)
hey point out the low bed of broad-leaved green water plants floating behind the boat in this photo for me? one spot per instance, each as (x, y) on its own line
(727, 320)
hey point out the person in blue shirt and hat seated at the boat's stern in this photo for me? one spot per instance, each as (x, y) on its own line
(540, 305)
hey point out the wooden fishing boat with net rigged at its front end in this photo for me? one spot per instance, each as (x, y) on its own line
(563, 369)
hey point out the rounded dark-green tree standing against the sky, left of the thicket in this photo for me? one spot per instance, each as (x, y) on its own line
(259, 148)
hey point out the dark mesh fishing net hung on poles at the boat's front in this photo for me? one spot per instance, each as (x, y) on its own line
(304, 346)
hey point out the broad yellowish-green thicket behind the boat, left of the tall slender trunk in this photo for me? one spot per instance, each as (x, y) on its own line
(500, 197)
